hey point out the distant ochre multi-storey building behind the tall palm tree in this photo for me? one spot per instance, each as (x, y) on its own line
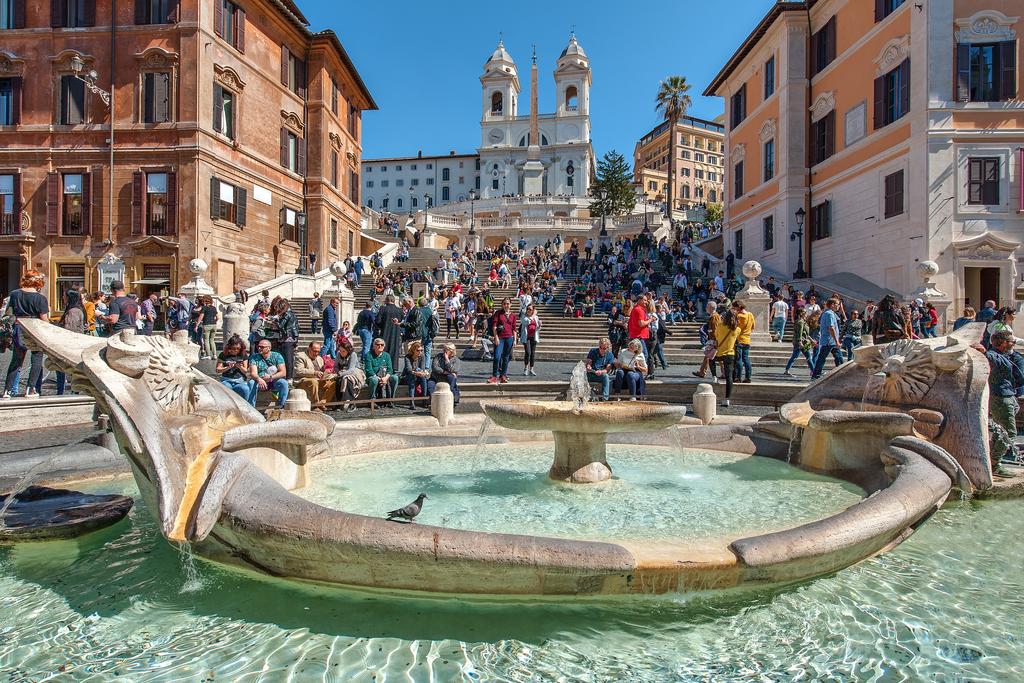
(699, 166)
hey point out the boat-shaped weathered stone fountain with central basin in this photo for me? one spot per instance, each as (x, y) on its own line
(905, 423)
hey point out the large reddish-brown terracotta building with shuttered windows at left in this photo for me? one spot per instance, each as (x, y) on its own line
(237, 141)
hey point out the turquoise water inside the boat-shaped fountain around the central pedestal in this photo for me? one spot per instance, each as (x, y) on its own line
(657, 493)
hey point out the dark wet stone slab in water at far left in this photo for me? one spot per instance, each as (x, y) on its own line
(40, 514)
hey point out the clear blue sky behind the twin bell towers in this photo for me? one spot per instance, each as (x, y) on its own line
(422, 61)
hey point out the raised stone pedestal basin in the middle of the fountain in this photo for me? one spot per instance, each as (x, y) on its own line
(581, 431)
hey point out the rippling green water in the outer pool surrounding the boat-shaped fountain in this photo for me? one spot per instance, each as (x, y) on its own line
(947, 606)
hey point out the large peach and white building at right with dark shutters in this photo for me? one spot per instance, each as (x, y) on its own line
(898, 126)
